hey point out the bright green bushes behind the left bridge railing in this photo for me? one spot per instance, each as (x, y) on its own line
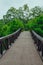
(10, 27)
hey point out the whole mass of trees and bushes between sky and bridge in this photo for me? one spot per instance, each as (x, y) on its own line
(22, 18)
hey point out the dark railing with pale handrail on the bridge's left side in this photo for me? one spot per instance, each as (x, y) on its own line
(6, 41)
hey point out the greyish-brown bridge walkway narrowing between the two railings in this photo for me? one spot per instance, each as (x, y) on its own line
(22, 52)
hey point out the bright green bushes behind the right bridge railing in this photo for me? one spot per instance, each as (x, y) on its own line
(36, 24)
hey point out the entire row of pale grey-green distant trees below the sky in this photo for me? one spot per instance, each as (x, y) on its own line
(22, 13)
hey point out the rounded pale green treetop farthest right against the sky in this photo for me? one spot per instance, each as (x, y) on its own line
(36, 11)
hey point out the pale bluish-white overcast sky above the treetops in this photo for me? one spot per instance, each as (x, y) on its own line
(6, 4)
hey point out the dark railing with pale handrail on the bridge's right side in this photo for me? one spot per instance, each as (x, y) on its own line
(38, 41)
